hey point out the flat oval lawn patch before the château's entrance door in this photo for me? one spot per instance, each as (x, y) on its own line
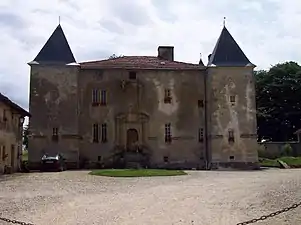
(136, 172)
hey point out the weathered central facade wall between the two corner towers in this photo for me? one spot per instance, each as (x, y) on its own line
(139, 104)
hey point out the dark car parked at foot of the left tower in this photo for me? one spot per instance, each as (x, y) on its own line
(53, 163)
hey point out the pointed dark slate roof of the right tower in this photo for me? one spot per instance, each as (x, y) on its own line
(227, 52)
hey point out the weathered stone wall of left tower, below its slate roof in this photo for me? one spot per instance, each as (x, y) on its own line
(53, 104)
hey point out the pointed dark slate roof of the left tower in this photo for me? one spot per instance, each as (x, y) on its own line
(56, 49)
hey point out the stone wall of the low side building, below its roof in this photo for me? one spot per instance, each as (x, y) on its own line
(10, 137)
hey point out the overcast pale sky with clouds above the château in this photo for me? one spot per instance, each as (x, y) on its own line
(268, 31)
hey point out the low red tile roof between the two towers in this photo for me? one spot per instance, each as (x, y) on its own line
(139, 62)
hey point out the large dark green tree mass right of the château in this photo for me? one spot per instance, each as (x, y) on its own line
(278, 101)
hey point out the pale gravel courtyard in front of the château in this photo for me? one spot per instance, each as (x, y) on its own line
(202, 197)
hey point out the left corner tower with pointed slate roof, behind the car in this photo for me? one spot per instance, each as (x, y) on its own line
(54, 100)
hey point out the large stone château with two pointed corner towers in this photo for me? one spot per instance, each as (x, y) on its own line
(150, 110)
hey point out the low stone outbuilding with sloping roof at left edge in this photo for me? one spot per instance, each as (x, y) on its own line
(11, 128)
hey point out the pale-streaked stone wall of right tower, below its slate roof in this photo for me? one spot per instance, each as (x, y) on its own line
(240, 116)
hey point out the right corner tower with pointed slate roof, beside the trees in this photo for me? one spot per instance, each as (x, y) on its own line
(231, 108)
